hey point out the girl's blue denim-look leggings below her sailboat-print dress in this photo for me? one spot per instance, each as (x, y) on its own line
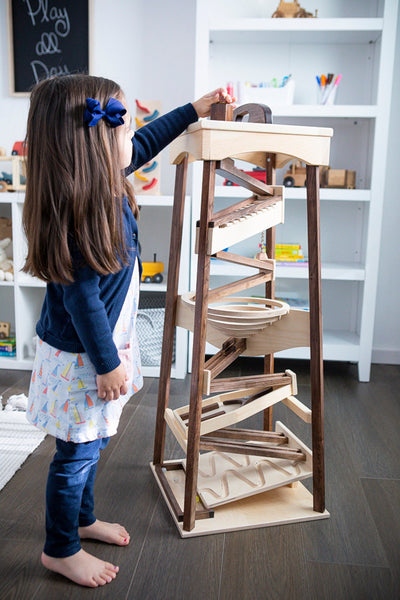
(69, 495)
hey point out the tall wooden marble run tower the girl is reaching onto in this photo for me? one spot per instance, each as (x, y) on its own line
(234, 477)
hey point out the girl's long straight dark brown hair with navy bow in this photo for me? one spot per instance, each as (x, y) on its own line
(74, 184)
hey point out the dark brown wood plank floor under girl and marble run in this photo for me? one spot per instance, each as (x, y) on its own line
(354, 555)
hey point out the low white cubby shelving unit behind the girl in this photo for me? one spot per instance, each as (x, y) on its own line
(21, 300)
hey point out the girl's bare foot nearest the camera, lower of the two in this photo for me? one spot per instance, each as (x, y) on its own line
(82, 568)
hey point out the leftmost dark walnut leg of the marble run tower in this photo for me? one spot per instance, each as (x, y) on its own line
(170, 308)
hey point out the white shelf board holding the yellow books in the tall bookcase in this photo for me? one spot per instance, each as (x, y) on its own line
(337, 271)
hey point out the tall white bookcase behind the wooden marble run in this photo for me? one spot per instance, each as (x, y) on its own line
(237, 44)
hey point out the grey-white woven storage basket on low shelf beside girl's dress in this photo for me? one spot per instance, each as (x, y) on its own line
(150, 327)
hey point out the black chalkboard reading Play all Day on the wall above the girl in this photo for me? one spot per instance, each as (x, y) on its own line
(48, 37)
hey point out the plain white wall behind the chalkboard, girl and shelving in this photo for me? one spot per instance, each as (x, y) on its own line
(161, 33)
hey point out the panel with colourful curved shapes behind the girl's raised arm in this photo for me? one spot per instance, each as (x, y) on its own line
(147, 178)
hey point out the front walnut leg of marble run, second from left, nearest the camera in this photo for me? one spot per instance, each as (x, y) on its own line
(199, 342)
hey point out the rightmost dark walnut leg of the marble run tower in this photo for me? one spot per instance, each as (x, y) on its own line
(316, 361)
